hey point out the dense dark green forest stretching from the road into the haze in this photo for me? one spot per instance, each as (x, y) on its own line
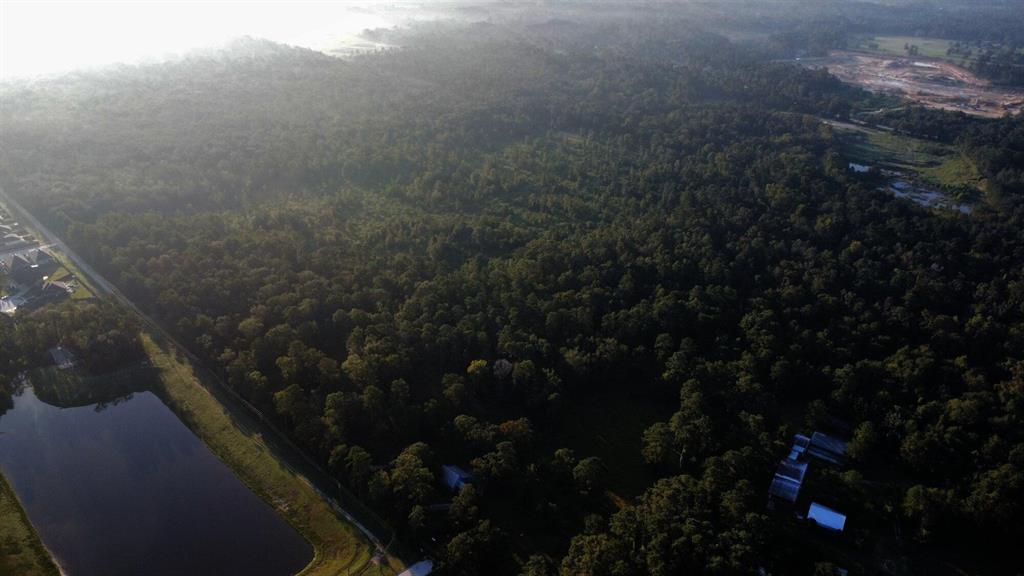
(503, 244)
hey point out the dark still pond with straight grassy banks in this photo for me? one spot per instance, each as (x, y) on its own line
(130, 490)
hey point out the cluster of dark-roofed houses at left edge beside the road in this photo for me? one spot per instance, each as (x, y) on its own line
(26, 276)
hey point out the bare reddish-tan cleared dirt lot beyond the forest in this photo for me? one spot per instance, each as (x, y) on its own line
(932, 83)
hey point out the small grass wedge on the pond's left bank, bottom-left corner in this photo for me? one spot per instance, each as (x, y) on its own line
(22, 553)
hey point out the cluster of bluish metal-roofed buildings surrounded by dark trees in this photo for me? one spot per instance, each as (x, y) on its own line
(792, 471)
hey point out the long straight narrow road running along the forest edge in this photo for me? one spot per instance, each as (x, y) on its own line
(246, 416)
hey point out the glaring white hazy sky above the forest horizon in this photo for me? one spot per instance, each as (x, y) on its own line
(42, 38)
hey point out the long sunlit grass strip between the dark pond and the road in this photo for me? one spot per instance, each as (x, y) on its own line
(339, 548)
